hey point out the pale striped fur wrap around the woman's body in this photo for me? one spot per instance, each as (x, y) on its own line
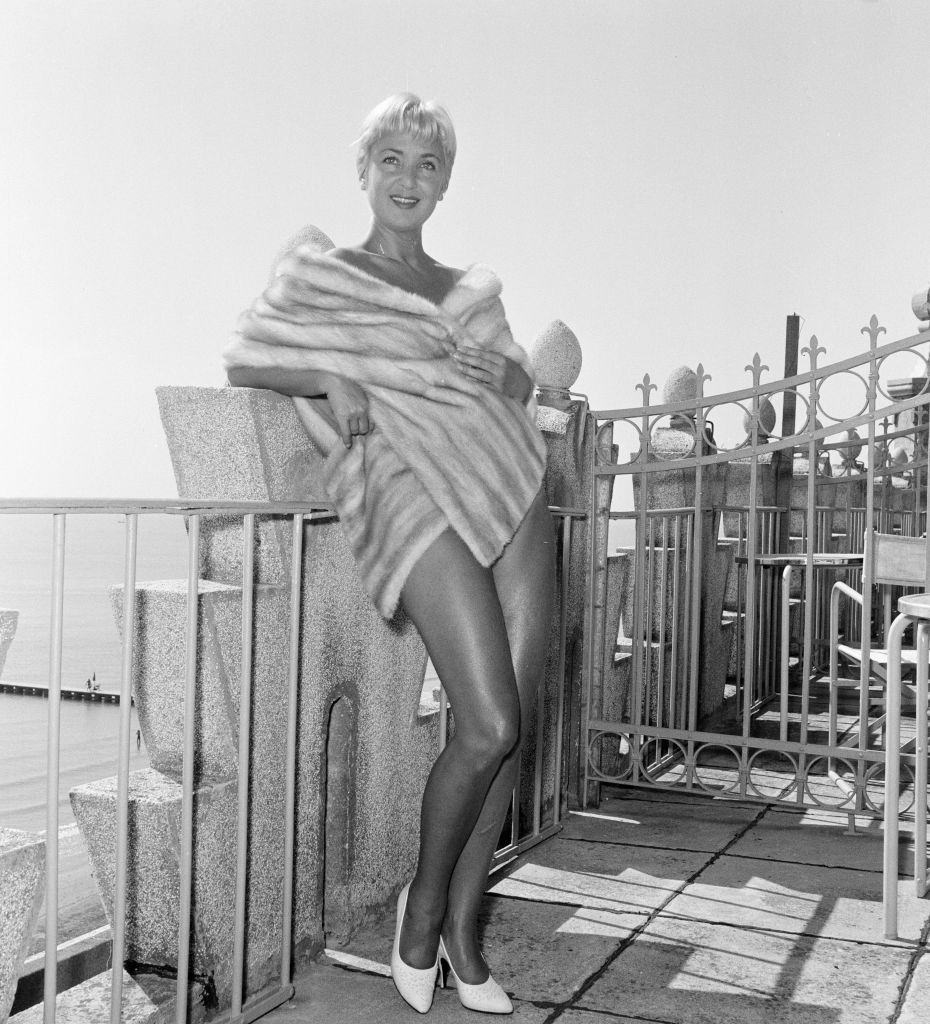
(444, 452)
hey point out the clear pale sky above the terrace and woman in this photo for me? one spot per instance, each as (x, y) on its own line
(671, 179)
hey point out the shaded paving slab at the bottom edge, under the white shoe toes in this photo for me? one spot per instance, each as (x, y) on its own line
(328, 995)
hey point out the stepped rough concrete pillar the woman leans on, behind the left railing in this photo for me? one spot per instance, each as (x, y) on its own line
(365, 745)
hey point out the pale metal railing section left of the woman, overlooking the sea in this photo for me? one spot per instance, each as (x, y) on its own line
(194, 511)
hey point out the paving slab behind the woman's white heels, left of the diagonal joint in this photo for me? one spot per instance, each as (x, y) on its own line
(538, 952)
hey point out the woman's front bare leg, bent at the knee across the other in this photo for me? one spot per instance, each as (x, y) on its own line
(453, 601)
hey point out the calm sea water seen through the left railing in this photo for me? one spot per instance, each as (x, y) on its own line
(92, 650)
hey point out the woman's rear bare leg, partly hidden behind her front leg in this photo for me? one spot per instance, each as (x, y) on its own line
(525, 582)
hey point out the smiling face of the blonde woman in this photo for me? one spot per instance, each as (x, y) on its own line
(405, 180)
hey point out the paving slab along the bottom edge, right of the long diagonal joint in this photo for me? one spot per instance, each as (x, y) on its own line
(684, 972)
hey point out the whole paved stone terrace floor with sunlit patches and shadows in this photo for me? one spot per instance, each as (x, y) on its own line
(662, 908)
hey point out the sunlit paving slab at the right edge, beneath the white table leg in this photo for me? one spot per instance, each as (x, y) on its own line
(833, 903)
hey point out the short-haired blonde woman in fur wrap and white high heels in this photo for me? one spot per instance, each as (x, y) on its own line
(440, 462)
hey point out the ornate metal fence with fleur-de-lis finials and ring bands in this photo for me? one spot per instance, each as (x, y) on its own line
(780, 504)
